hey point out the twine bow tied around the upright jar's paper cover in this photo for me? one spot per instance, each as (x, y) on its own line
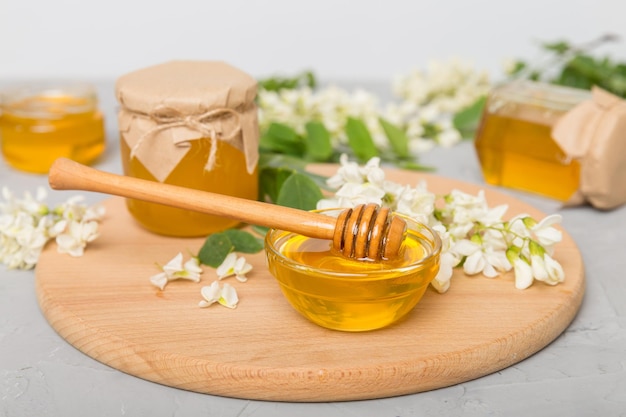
(204, 123)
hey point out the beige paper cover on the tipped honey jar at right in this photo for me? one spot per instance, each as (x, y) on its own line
(594, 132)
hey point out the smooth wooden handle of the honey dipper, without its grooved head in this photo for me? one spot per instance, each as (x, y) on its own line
(66, 174)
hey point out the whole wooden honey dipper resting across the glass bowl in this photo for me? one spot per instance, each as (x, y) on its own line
(366, 231)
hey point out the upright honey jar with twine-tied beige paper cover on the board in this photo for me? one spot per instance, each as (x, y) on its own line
(192, 124)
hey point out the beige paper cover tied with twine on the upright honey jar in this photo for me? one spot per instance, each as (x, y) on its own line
(164, 107)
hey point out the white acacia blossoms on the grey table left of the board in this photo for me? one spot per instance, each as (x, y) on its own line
(28, 223)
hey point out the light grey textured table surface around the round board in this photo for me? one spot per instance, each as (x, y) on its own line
(582, 373)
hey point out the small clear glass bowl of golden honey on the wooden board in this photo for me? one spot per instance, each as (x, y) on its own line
(353, 295)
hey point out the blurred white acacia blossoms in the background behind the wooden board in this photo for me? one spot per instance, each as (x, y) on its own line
(427, 102)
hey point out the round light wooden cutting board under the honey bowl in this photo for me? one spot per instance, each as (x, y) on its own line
(104, 305)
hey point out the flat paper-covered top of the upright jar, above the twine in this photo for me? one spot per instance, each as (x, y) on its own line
(188, 87)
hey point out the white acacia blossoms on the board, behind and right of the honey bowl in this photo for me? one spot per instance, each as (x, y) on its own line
(474, 236)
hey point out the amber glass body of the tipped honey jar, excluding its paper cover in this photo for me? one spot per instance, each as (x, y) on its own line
(514, 141)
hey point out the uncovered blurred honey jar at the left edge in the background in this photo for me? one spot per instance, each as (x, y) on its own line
(42, 122)
